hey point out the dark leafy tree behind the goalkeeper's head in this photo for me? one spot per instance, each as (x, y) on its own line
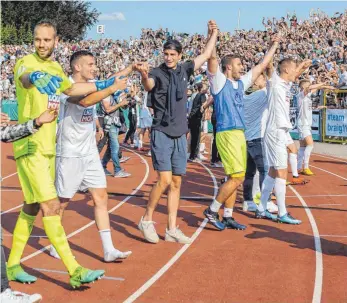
(72, 18)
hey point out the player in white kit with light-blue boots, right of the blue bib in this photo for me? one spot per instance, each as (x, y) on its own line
(276, 137)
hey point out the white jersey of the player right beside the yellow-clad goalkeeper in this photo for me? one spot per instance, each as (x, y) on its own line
(76, 129)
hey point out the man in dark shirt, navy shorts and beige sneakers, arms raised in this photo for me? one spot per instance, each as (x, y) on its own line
(167, 87)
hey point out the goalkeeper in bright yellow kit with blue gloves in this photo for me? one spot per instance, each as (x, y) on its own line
(39, 82)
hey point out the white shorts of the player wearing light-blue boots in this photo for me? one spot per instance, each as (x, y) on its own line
(276, 149)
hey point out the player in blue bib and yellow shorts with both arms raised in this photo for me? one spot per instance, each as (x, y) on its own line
(228, 88)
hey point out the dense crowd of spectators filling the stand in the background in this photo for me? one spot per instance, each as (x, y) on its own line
(320, 37)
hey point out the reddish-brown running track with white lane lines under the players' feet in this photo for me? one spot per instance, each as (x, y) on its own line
(268, 262)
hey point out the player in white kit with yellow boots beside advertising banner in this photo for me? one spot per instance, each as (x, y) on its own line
(305, 123)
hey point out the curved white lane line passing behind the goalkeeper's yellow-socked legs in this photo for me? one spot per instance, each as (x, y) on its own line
(110, 211)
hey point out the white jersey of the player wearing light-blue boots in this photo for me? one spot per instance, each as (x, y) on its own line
(279, 96)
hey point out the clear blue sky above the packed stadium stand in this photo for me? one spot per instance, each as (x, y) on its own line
(123, 19)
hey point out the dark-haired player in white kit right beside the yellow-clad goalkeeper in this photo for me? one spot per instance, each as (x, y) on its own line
(78, 164)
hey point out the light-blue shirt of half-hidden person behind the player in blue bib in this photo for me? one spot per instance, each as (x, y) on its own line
(256, 114)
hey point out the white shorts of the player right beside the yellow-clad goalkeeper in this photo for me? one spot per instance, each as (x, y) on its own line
(73, 174)
